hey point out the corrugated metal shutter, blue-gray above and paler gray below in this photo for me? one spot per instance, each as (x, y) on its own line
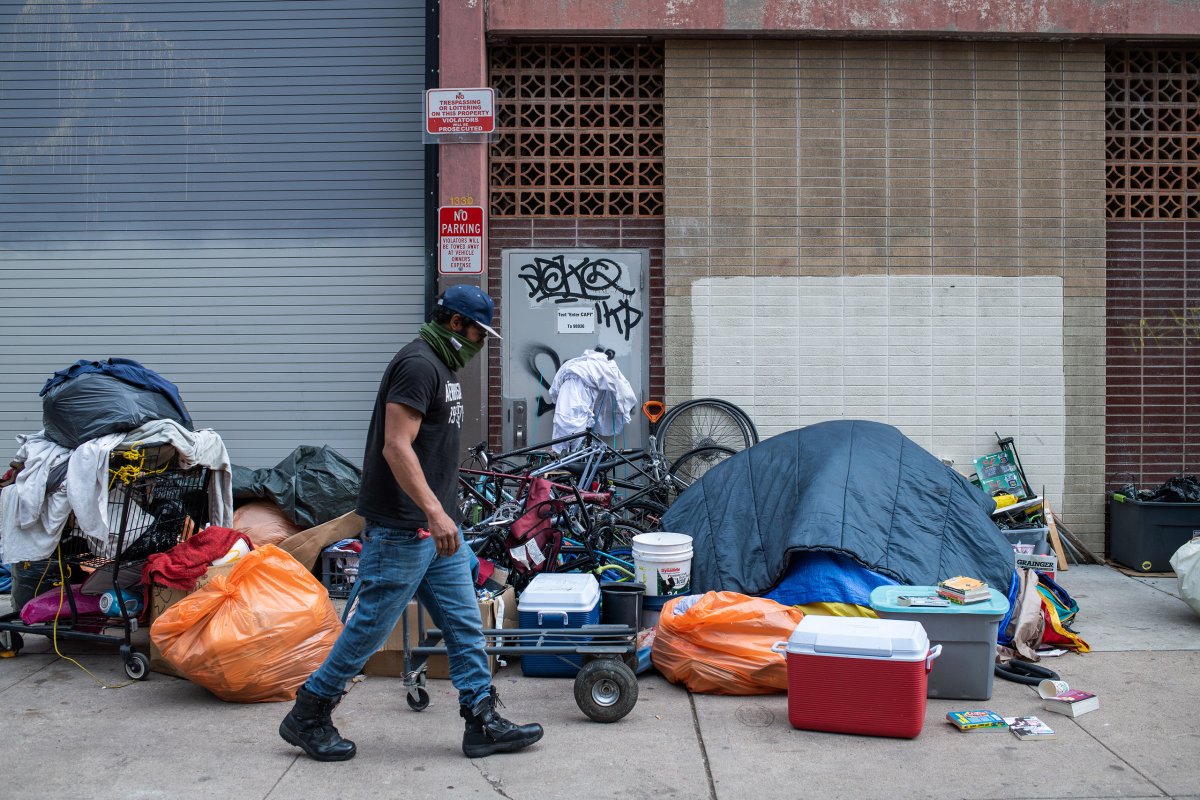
(230, 193)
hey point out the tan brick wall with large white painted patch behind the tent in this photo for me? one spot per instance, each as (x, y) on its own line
(911, 232)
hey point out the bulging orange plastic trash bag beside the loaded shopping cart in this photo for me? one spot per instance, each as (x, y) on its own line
(255, 635)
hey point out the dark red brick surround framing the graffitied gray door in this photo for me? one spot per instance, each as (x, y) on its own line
(632, 233)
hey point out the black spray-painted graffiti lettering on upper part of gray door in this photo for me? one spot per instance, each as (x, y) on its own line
(601, 281)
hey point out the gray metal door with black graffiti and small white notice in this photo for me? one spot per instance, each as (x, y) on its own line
(560, 304)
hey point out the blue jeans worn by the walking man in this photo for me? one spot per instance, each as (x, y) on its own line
(395, 566)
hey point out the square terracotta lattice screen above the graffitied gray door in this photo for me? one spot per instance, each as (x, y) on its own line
(580, 131)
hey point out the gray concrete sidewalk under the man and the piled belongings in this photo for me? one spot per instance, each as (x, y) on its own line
(64, 736)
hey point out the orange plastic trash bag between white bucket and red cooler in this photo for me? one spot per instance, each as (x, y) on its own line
(722, 643)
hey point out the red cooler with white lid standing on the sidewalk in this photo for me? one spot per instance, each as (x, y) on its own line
(857, 675)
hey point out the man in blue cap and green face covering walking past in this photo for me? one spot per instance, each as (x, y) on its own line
(411, 542)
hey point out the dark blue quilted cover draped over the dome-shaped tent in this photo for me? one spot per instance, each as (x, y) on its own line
(851, 488)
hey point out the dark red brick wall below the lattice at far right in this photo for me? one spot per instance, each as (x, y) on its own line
(1154, 340)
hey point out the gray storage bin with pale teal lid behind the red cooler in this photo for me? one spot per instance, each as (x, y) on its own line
(968, 635)
